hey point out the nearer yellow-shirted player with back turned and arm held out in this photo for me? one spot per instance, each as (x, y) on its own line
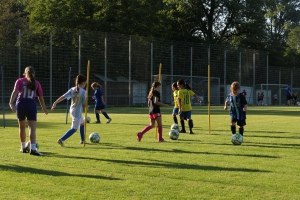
(184, 104)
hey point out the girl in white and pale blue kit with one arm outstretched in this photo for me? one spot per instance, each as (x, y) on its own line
(78, 104)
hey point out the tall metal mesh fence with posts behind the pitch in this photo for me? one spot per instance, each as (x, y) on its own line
(126, 65)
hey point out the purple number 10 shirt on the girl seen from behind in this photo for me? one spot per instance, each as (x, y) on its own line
(25, 93)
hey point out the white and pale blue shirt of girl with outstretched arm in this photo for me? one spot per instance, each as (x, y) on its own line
(77, 100)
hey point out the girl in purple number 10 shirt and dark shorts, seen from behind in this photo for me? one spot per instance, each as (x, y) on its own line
(26, 90)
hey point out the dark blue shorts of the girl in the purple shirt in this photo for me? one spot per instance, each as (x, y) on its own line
(26, 109)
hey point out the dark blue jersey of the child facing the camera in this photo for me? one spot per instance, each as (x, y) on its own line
(237, 104)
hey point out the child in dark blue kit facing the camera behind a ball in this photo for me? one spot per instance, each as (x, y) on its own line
(238, 106)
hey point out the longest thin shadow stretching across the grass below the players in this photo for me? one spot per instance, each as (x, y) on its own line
(164, 164)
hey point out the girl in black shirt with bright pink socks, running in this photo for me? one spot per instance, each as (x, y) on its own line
(154, 112)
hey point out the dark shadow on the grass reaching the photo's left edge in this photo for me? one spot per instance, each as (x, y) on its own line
(22, 169)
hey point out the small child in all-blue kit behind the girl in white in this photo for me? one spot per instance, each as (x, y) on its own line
(99, 102)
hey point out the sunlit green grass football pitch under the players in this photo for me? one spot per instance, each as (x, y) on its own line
(201, 166)
